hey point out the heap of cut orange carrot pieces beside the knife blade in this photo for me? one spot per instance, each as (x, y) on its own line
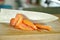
(23, 23)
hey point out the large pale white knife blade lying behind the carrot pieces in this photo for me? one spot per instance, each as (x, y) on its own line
(39, 17)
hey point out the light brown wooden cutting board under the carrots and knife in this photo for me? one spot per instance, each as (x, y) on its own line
(9, 33)
